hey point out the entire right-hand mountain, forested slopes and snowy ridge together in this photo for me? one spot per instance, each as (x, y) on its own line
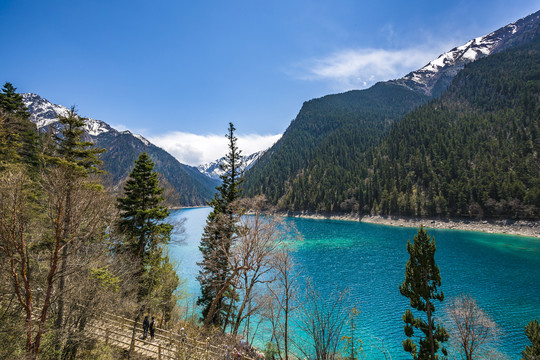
(341, 152)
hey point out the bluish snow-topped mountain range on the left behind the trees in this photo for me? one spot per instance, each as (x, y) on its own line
(186, 186)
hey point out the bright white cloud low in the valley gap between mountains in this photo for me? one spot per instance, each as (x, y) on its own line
(193, 149)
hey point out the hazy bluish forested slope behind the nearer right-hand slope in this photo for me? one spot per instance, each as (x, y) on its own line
(337, 127)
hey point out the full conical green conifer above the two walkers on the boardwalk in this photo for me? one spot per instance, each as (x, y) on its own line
(144, 234)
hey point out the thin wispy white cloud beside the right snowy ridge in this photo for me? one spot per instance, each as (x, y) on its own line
(359, 68)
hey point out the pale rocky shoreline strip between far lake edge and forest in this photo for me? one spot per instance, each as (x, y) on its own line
(507, 227)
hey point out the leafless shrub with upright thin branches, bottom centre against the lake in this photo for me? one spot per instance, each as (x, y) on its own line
(322, 320)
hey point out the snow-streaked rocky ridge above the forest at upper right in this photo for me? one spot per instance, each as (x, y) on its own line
(435, 77)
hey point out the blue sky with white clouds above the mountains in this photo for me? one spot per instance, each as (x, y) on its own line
(178, 72)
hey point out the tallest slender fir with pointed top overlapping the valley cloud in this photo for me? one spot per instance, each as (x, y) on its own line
(219, 235)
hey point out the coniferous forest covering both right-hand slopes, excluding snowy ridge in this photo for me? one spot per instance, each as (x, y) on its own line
(473, 152)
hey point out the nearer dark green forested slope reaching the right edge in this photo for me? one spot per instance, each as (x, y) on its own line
(473, 152)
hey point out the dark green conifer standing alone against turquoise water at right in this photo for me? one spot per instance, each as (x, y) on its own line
(422, 278)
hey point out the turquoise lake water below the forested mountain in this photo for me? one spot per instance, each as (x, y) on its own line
(501, 272)
